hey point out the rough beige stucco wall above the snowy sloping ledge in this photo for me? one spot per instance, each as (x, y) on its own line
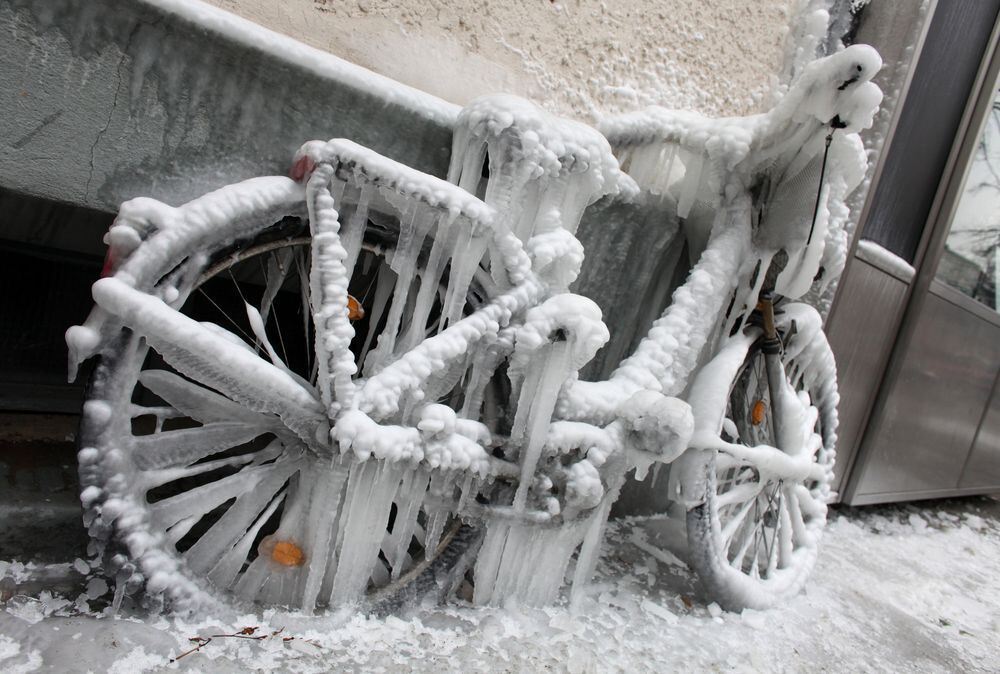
(581, 58)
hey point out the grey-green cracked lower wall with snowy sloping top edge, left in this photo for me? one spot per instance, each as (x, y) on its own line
(104, 101)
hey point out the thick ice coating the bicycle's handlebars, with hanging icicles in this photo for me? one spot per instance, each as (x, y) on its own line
(694, 160)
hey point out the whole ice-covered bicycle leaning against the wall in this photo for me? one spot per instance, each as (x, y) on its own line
(361, 382)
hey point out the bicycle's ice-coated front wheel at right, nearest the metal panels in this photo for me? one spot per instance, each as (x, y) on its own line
(754, 533)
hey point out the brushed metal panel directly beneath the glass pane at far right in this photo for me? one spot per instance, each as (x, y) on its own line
(933, 407)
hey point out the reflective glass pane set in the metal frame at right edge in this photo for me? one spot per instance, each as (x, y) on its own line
(971, 259)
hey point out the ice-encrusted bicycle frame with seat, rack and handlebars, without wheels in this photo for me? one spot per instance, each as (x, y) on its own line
(735, 187)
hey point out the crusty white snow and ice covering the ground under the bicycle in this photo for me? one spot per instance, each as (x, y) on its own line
(897, 588)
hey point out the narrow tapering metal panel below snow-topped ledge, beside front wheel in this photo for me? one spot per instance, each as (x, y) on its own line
(870, 305)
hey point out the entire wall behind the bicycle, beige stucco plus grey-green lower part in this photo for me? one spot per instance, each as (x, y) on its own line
(105, 100)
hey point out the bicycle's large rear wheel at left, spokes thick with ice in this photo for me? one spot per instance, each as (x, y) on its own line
(209, 481)
